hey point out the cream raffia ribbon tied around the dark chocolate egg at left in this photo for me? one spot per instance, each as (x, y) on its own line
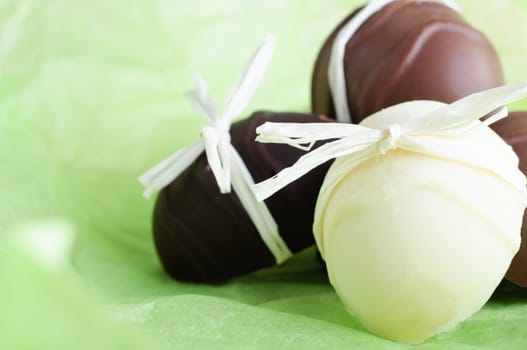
(226, 164)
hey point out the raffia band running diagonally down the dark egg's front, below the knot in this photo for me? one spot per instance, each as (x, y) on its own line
(258, 212)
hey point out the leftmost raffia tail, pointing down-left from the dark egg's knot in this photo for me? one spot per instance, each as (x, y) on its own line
(166, 171)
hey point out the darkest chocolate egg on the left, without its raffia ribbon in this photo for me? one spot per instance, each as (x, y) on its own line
(204, 236)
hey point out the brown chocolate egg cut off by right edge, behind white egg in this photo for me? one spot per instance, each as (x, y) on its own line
(513, 130)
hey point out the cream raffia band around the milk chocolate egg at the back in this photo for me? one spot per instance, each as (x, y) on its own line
(336, 76)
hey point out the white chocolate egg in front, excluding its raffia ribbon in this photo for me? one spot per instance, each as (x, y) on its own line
(415, 243)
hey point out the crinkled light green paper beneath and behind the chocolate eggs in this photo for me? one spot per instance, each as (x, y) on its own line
(91, 95)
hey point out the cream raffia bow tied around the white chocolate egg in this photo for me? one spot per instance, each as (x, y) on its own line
(438, 133)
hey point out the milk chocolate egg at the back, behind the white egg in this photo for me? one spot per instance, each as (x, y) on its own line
(407, 51)
